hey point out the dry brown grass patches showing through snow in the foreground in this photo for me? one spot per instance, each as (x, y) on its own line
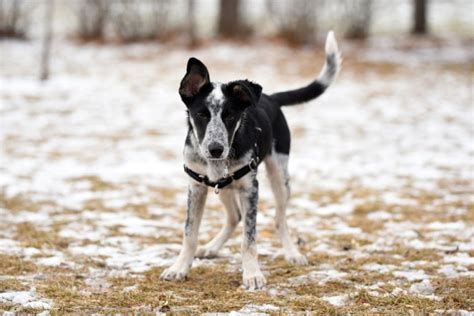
(217, 287)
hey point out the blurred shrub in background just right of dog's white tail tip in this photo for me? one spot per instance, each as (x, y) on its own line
(357, 18)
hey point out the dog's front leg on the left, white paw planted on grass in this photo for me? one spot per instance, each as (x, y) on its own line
(196, 199)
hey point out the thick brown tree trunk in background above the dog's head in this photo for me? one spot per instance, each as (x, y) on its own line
(229, 18)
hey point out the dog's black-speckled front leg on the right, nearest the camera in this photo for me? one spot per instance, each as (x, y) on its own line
(253, 278)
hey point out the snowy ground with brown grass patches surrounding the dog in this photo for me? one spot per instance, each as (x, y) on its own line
(92, 192)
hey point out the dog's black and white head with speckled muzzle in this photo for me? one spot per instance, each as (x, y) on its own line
(215, 110)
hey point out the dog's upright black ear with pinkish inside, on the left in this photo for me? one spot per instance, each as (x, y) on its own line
(196, 77)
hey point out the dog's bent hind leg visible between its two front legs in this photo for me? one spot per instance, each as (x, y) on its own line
(211, 249)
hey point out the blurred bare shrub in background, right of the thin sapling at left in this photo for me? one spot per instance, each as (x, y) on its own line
(92, 17)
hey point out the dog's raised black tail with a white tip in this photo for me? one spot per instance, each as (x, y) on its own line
(327, 75)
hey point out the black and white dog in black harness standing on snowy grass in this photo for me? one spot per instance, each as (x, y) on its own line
(232, 128)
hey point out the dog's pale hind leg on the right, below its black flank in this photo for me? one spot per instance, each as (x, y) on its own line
(277, 171)
